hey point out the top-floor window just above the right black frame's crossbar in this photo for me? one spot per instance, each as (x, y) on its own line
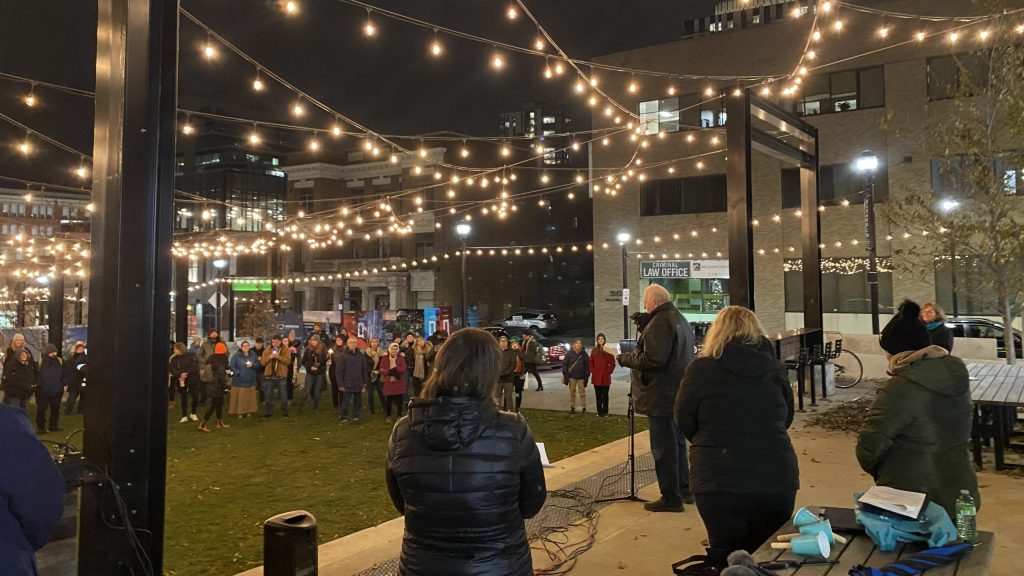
(842, 92)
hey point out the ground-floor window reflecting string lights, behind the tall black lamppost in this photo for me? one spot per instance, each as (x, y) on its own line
(844, 289)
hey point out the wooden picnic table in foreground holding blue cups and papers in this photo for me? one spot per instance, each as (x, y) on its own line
(861, 551)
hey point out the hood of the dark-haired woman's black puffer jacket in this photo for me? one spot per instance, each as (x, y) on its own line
(451, 424)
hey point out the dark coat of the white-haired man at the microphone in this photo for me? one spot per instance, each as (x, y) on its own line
(664, 351)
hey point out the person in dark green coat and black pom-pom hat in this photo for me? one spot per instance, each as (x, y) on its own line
(918, 433)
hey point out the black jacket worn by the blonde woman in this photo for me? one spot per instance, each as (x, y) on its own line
(736, 412)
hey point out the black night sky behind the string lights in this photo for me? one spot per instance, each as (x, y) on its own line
(390, 84)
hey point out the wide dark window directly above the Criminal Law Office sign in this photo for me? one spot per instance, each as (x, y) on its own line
(696, 195)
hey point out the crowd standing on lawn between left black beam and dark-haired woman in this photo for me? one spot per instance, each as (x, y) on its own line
(269, 373)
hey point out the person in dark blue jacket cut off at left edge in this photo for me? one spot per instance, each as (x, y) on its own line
(31, 495)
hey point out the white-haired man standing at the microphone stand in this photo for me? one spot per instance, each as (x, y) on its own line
(664, 350)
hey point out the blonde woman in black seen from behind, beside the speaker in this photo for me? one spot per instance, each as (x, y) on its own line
(735, 405)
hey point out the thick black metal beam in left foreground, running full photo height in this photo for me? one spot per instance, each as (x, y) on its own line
(133, 189)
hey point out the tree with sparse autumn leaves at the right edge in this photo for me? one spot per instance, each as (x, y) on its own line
(976, 208)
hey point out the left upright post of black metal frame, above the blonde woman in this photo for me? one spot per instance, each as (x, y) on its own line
(741, 209)
